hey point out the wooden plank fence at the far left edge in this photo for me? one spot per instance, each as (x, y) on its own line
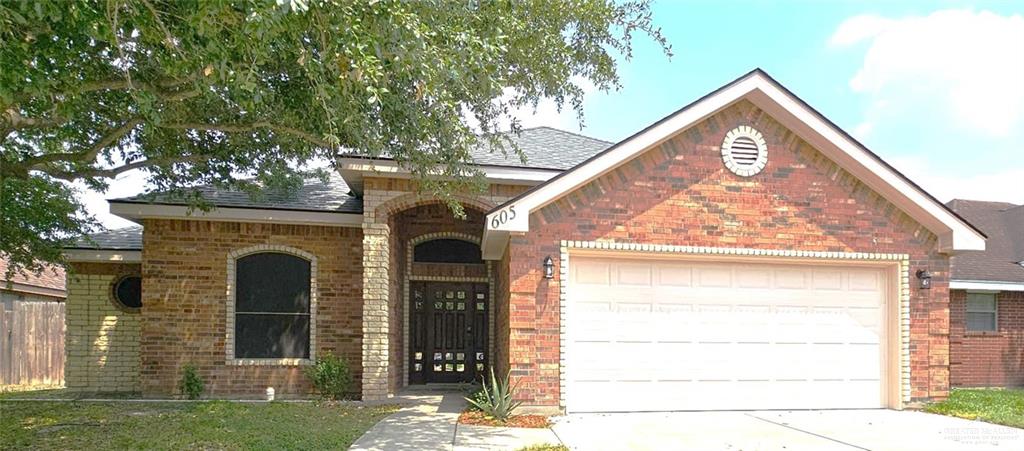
(32, 350)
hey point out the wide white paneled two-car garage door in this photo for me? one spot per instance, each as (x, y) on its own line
(646, 335)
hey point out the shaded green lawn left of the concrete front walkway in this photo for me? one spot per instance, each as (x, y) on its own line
(216, 425)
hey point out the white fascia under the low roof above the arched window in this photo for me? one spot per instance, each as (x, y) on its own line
(138, 213)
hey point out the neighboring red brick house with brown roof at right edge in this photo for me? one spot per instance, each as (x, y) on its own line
(987, 301)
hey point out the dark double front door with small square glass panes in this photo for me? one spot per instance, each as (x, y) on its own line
(448, 332)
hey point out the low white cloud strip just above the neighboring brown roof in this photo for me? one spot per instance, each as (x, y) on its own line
(999, 185)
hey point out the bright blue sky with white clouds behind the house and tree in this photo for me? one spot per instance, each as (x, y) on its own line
(936, 89)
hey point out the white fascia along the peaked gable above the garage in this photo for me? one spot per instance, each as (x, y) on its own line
(954, 234)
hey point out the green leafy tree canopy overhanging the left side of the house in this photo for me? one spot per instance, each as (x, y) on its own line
(218, 93)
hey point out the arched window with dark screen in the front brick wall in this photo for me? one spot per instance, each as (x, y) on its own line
(272, 307)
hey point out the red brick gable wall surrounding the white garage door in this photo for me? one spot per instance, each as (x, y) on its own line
(680, 193)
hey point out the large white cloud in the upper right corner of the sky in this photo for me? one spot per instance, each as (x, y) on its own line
(969, 64)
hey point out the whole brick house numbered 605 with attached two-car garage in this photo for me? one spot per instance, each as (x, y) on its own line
(743, 253)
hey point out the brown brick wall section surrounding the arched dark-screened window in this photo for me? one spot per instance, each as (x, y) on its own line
(185, 295)
